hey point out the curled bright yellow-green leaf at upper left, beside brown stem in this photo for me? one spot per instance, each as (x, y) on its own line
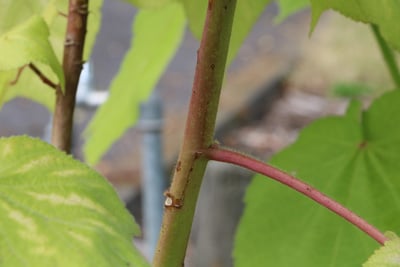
(28, 43)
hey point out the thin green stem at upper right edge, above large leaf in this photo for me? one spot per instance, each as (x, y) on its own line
(388, 55)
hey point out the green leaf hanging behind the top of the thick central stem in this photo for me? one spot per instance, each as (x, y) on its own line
(246, 14)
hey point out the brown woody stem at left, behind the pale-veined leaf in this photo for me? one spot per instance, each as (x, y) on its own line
(72, 65)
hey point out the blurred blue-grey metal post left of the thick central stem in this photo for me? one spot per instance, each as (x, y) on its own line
(153, 181)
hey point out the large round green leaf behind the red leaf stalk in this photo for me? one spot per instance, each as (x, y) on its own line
(352, 158)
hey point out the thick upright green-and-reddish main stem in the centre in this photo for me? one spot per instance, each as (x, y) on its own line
(182, 196)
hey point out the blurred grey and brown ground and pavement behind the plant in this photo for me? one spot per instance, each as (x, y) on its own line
(281, 80)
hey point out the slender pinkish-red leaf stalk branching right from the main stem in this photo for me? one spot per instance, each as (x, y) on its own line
(224, 155)
